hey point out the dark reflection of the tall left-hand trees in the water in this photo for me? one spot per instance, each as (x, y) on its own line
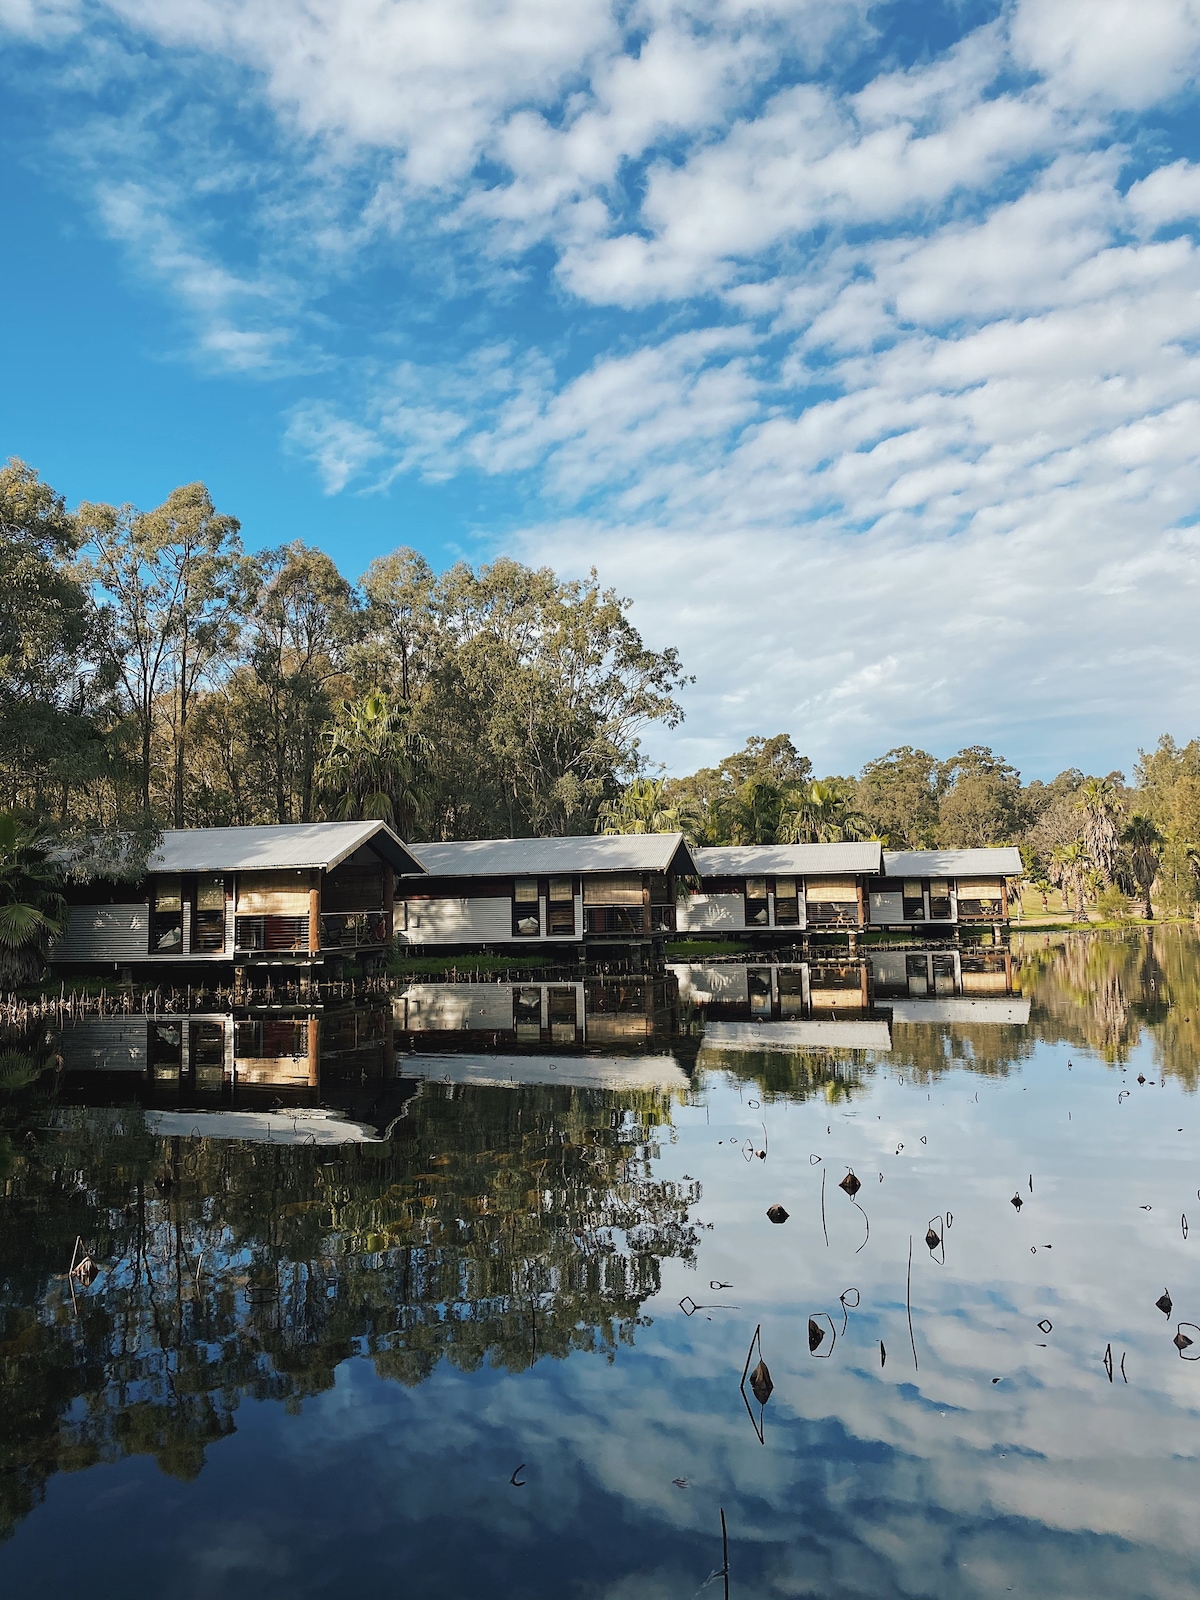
(502, 1226)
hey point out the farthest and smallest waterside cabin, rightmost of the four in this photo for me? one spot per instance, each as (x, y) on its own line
(945, 889)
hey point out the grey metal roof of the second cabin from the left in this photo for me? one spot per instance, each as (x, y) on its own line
(478, 858)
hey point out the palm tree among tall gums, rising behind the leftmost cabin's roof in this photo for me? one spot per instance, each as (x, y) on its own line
(367, 769)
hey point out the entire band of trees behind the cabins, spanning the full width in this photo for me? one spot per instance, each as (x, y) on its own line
(158, 674)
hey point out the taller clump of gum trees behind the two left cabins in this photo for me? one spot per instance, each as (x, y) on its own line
(158, 674)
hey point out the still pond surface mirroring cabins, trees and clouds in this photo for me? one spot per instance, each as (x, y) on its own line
(495, 1345)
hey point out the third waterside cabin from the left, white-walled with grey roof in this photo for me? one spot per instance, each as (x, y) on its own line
(762, 889)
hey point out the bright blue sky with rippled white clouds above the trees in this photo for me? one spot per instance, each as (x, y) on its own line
(857, 343)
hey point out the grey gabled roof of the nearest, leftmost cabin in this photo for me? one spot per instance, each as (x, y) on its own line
(297, 846)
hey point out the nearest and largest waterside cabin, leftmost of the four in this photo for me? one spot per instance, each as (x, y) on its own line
(298, 894)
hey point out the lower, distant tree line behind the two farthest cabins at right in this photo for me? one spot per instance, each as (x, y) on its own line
(1098, 839)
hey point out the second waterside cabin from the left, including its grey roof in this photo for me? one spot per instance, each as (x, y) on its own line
(543, 892)
